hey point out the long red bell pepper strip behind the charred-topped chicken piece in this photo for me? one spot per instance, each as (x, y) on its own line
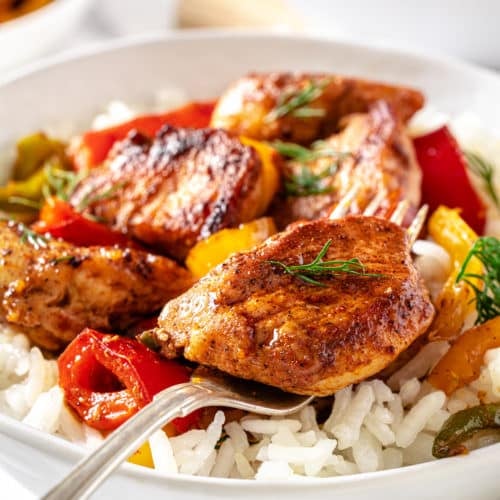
(93, 146)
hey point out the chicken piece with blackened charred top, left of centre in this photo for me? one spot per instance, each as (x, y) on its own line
(179, 188)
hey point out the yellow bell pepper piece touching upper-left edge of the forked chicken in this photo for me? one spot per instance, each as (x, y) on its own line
(206, 254)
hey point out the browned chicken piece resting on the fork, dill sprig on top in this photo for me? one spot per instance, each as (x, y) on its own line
(249, 318)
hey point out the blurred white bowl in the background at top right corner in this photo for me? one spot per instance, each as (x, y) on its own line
(464, 28)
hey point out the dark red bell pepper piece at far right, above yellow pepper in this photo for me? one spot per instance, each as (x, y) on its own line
(445, 180)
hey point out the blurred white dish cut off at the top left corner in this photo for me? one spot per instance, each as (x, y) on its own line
(31, 35)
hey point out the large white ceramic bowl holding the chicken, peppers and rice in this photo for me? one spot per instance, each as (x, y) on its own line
(204, 64)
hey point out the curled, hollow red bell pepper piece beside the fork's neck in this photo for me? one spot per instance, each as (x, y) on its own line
(107, 378)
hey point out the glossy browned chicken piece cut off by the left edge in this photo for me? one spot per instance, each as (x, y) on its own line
(51, 290)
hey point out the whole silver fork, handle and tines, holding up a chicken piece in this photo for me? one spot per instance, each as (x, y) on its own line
(207, 388)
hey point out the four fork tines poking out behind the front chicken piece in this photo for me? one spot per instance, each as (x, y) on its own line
(397, 215)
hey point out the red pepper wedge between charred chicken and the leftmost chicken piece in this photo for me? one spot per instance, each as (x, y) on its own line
(61, 220)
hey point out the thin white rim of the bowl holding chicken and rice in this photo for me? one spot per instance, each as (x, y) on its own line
(65, 449)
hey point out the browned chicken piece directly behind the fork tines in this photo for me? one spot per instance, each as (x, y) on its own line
(374, 151)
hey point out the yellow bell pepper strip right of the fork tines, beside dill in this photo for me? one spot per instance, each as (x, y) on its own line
(455, 301)
